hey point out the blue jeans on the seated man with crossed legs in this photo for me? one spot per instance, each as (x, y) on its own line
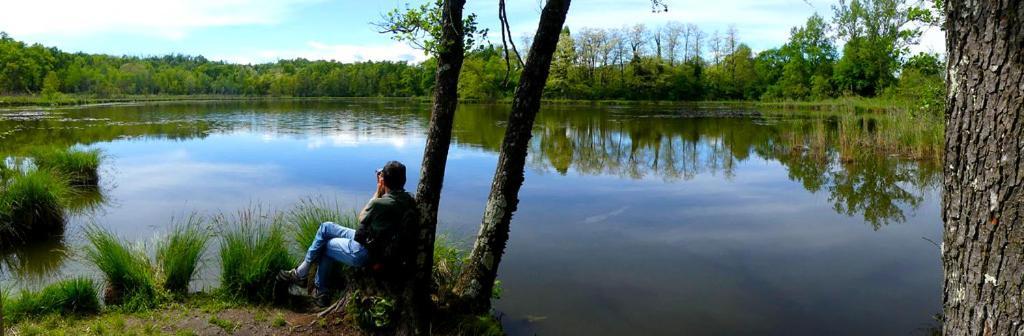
(339, 244)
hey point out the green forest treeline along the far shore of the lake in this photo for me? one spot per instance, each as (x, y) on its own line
(673, 62)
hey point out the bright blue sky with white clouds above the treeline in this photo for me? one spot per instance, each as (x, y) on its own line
(258, 31)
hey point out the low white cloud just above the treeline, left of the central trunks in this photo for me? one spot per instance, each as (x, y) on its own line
(340, 53)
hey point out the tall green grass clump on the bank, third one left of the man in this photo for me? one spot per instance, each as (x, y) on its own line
(131, 281)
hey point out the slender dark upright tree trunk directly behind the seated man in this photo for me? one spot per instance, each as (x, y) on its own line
(450, 59)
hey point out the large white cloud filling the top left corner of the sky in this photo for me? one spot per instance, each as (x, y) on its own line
(172, 20)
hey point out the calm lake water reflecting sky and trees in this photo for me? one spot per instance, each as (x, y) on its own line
(634, 221)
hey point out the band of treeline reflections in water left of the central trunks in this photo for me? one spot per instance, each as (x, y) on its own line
(20, 131)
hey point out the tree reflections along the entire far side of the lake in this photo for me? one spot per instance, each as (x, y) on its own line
(671, 144)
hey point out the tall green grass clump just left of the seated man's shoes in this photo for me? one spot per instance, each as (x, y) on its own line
(253, 250)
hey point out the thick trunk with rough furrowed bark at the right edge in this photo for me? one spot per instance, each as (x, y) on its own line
(984, 199)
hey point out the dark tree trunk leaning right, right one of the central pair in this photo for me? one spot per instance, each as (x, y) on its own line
(478, 280)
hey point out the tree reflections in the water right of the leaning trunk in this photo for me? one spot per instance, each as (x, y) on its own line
(875, 187)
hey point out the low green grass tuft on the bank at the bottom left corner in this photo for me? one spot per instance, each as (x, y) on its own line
(74, 297)
